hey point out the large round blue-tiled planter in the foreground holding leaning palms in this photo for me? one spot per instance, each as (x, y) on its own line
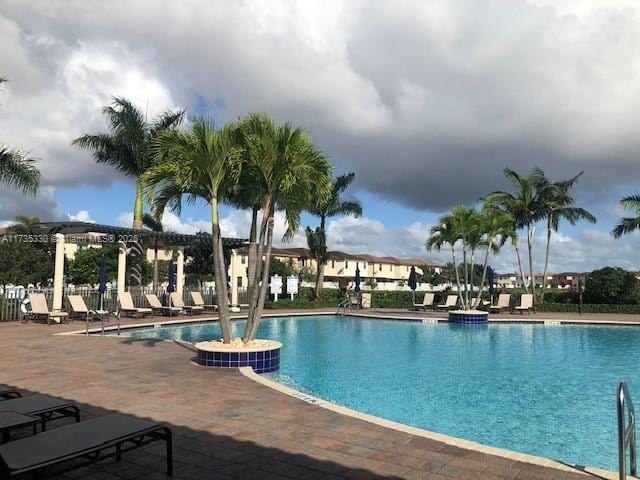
(263, 357)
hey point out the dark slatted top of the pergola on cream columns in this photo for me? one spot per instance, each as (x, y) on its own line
(85, 229)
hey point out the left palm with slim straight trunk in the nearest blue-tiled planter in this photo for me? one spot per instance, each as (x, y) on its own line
(202, 162)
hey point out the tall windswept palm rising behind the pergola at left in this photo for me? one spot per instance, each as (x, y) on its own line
(127, 145)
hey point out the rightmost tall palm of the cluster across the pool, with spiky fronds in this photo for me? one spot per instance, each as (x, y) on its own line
(557, 204)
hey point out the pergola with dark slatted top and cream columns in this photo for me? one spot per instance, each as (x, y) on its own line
(58, 231)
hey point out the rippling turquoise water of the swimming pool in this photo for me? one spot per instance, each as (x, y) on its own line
(543, 390)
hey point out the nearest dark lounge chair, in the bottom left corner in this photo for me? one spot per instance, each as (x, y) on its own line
(86, 440)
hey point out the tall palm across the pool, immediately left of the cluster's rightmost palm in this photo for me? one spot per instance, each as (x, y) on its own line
(525, 207)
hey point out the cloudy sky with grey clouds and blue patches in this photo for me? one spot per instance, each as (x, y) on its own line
(426, 101)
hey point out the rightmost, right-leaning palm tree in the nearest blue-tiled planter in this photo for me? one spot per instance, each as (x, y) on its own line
(293, 175)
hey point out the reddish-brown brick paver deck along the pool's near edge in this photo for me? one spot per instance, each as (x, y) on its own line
(226, 426)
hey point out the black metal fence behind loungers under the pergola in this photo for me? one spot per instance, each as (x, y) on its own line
(10, 306)
